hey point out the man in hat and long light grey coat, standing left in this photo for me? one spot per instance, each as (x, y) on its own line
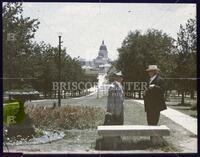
(115, 109)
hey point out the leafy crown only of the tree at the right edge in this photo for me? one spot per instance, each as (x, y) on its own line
(186, 50)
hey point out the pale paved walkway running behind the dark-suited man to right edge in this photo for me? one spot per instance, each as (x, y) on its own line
(182, 119)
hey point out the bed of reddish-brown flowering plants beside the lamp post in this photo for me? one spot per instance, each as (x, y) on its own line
(66, 117)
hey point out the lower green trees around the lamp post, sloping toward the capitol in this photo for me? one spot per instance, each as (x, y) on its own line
(45, 67)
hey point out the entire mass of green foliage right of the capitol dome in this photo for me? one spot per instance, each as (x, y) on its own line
(175, 58)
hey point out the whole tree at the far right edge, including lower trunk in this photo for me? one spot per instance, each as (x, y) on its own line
(186, 57)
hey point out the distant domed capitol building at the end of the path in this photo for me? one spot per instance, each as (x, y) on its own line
(100, 64)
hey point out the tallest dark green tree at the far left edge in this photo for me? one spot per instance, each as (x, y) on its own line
(17, 34)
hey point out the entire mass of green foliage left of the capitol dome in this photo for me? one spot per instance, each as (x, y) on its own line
(24, 58)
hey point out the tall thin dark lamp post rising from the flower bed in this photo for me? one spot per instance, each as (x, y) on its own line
(59, 69)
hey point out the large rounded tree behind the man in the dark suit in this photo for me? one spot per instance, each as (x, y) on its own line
(139, 50)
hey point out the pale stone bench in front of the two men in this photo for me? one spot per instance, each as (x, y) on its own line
(155, 132)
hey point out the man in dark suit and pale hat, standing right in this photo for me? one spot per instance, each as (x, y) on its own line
(154, 100)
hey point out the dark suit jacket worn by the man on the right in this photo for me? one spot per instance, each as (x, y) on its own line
(154, 97)
